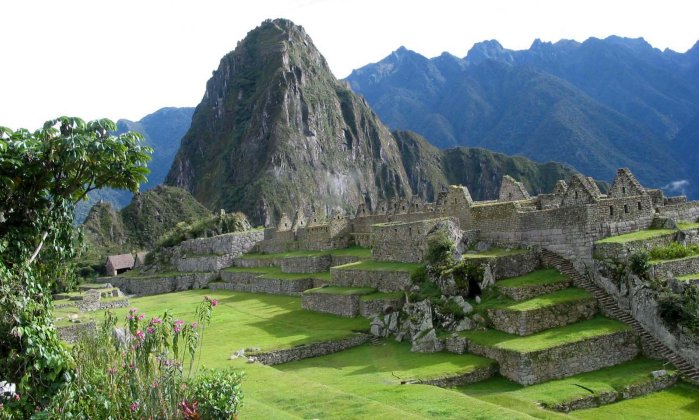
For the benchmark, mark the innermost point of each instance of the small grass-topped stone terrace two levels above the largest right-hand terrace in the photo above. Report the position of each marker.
(534, 284)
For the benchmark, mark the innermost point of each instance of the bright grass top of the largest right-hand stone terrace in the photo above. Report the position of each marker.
(549, 338)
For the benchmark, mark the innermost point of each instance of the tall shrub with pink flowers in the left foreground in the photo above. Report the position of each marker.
(141, 371)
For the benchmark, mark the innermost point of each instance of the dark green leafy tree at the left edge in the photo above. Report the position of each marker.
(43, 174)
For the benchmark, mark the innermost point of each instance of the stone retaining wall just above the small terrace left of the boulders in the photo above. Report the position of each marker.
(384, 281)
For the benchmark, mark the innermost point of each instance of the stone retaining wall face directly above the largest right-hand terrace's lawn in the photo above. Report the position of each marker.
(530, 322)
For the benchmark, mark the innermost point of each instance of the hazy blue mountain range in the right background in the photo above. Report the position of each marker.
(596, 105)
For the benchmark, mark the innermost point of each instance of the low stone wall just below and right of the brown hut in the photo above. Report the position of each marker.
(143, 286)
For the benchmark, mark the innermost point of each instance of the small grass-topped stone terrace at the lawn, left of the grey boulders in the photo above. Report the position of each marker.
(342, 301)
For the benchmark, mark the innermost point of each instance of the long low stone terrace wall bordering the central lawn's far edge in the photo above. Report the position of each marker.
(253, 283)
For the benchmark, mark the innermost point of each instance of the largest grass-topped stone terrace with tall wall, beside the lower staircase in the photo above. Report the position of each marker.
(557, 352)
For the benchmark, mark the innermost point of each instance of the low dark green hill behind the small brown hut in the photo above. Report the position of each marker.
(139, 225)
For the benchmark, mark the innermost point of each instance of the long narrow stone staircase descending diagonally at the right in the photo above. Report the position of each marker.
(611, 308)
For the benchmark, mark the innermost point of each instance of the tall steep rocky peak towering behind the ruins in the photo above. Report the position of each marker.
(276, 131)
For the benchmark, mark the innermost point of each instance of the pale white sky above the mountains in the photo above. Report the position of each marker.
(128, 58)
